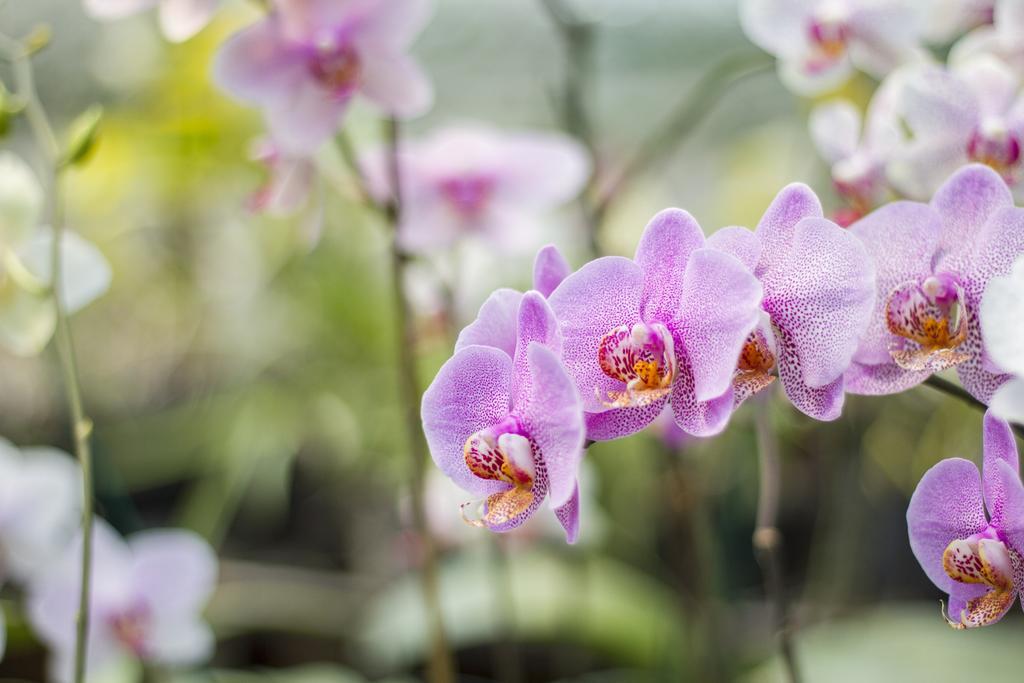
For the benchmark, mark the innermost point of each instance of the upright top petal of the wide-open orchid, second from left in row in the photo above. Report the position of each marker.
(663, 254)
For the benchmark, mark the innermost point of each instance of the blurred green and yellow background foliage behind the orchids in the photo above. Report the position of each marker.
(240, 374)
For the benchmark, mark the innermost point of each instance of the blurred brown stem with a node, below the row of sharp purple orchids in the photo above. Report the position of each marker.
(767, 539)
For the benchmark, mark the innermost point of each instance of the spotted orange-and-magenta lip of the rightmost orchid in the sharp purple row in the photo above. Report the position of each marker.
(928, 319)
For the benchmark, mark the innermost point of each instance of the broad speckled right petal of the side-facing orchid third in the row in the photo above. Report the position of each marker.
(821, 294)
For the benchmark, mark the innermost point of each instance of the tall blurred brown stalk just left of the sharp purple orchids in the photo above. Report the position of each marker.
(442, 665)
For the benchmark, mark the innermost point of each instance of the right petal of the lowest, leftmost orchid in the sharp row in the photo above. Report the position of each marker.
(553, 417)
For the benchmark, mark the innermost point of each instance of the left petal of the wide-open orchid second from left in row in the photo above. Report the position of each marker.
(591, 303)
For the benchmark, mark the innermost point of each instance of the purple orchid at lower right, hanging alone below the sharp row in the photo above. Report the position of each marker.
(974, 558)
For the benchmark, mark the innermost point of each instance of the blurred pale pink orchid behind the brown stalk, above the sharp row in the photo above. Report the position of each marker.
(473, 180)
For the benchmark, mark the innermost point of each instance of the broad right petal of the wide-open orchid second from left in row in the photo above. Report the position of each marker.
(721, 306)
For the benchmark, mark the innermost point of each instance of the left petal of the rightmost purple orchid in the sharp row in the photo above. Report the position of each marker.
(902, 239)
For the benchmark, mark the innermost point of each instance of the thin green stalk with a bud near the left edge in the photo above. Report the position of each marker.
(81, 425)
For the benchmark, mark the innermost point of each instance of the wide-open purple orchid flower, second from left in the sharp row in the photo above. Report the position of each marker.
(666, 327)
